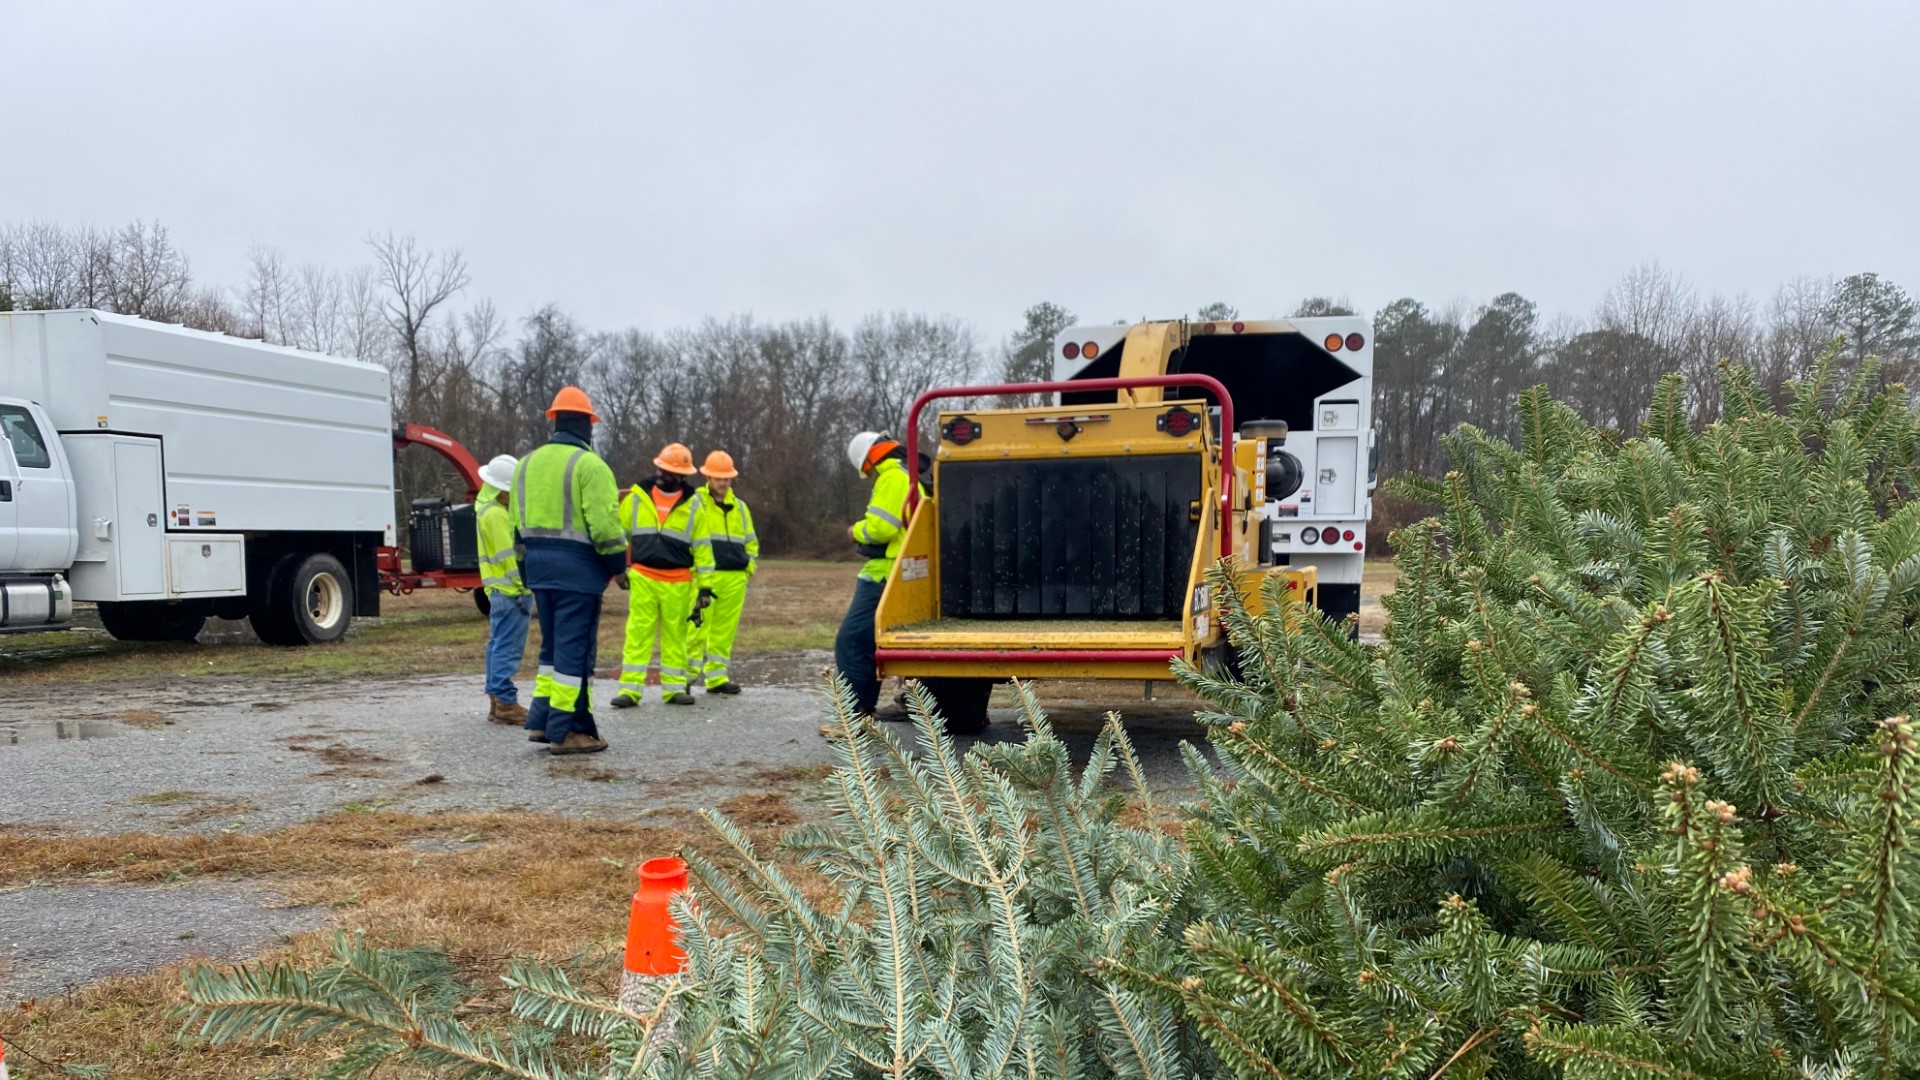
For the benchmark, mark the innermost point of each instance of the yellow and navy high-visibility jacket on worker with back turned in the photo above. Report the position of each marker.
(567, 518)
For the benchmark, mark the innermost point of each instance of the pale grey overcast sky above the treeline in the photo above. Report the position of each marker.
(652, 164)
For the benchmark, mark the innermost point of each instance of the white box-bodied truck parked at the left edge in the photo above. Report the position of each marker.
(176, 476)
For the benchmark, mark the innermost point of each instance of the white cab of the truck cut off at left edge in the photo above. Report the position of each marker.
(37, 526)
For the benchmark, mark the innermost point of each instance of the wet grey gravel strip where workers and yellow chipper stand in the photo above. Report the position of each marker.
(210, 754)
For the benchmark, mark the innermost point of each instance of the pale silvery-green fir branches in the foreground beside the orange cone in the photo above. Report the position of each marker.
(969, 904)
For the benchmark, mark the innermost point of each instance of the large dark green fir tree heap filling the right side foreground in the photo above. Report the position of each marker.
(1627, 791)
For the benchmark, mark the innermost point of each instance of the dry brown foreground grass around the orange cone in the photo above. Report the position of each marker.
(481, 887)
